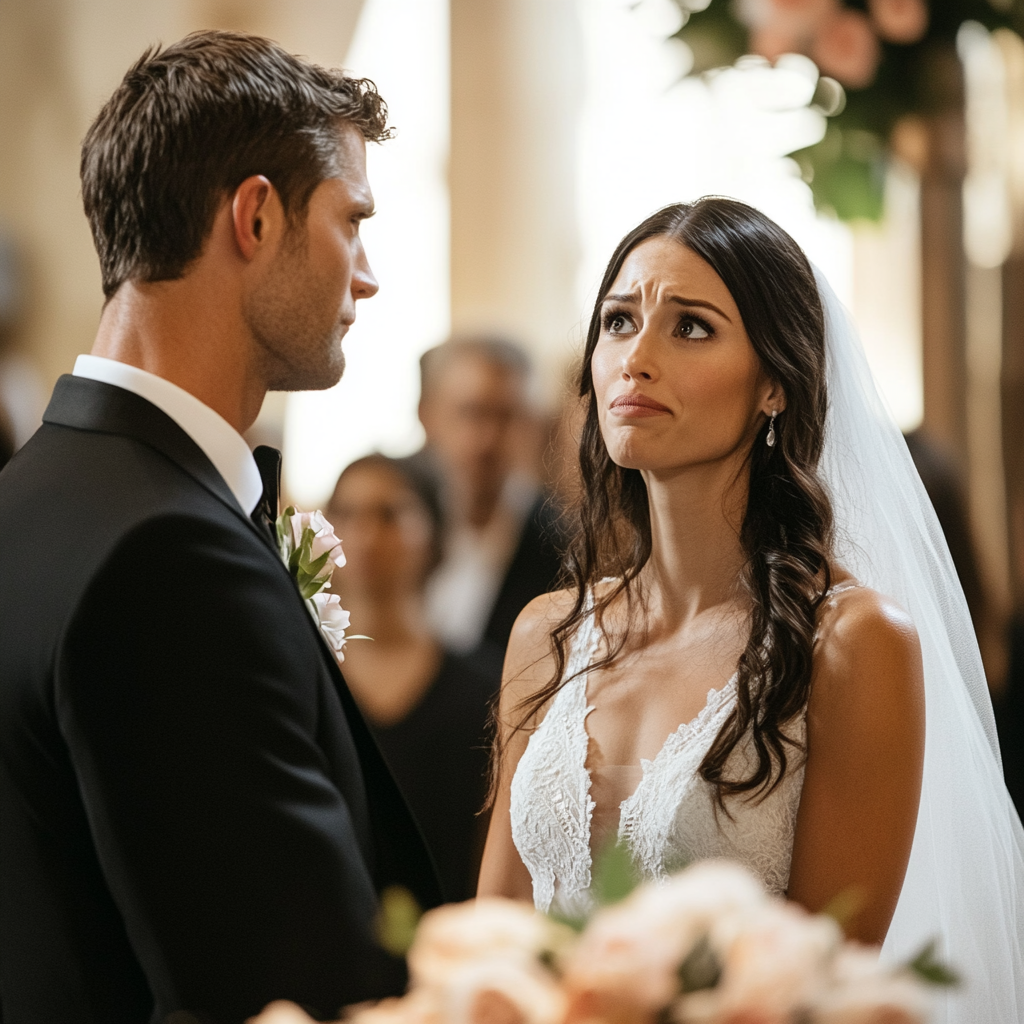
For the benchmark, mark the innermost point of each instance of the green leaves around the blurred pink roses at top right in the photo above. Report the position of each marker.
(846, 170)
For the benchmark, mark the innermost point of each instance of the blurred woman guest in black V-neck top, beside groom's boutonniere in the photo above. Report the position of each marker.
(428, 707)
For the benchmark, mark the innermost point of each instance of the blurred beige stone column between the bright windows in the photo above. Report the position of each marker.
(517, 88)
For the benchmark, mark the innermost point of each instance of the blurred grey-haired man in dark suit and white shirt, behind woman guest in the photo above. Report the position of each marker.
(501, 548)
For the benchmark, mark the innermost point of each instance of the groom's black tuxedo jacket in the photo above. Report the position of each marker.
(193, 814)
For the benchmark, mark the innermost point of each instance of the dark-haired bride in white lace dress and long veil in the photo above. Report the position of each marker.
(764, 653)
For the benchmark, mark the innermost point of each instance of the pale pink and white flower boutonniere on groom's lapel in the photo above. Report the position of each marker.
(312, 552)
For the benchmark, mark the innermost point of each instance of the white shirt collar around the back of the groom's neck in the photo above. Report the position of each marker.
(221, 443)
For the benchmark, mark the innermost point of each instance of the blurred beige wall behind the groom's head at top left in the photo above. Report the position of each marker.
(59, 61)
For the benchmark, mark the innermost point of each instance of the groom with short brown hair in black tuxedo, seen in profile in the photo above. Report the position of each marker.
(194, 819)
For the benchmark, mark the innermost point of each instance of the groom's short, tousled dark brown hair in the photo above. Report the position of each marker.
(189, 124)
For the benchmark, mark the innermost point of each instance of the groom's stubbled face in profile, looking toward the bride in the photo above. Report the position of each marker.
(305, 303)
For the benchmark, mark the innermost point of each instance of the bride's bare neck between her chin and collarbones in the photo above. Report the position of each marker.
(697, 556)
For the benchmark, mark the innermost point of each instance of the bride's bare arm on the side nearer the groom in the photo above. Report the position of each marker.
(529, 665)
